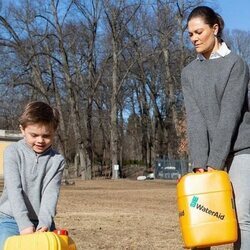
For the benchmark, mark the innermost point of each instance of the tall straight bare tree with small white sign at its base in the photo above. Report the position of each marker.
(118, 17)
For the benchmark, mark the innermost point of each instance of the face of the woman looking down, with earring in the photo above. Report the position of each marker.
(203, 36)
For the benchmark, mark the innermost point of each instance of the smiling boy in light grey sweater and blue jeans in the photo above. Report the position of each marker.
(32, 175)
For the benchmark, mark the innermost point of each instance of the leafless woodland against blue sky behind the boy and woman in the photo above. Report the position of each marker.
(112, 67)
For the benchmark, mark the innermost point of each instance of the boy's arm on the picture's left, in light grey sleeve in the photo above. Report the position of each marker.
(12, 181)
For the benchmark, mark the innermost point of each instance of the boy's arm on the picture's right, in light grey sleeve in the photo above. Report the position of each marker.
(50, 194)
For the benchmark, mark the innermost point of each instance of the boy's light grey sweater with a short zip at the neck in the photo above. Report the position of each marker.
(31, 184)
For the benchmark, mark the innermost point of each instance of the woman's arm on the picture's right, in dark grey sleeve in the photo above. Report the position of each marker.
(230, 114)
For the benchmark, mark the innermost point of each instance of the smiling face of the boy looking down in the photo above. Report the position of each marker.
(38, 136)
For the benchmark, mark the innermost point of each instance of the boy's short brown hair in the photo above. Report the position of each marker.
(39, 112)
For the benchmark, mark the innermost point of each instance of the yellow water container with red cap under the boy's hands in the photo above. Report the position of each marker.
(57, 240)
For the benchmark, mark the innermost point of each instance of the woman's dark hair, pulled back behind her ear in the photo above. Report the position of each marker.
(209, 16)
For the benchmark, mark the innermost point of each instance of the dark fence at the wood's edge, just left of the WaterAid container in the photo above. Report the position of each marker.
(170, 169)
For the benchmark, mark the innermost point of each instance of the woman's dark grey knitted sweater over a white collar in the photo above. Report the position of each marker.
(215, 95)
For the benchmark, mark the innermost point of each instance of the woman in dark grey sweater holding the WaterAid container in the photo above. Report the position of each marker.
(215, 93)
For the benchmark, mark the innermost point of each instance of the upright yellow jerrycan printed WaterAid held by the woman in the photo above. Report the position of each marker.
(206, 209)
